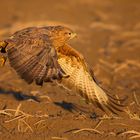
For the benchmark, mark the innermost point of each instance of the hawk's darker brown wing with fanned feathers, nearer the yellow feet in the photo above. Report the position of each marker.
(33, 57)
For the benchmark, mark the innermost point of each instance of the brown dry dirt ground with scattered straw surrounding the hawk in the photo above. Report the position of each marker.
(109, 38)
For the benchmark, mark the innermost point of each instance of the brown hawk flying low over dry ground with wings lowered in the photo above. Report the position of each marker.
(42, 54)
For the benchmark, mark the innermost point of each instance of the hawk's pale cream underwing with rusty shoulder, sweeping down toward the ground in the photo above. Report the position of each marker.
(82, 81)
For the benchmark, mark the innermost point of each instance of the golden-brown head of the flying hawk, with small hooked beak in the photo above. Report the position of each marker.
(61, 35)
